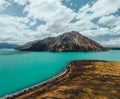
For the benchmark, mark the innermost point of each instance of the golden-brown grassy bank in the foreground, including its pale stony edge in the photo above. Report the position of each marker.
(80, 80)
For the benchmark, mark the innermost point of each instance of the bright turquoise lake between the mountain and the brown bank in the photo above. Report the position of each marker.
(19, 70)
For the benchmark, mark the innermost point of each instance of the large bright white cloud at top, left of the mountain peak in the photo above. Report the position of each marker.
(56, 15)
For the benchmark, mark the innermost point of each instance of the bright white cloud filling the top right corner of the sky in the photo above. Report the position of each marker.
(104, 7)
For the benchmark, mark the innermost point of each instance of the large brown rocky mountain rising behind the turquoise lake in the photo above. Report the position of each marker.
(67, 42)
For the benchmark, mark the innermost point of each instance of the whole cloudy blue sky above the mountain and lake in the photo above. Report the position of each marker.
(22, 21)
